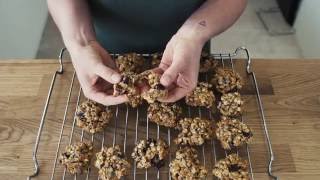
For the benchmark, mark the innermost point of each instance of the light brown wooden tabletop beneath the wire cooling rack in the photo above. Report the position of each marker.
(290, 93)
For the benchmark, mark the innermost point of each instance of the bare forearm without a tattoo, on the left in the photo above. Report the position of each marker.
(73, 20)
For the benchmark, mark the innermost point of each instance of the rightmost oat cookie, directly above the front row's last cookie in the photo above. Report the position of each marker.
(233, 133)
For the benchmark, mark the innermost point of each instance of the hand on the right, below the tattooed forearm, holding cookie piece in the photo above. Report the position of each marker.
(180, 64)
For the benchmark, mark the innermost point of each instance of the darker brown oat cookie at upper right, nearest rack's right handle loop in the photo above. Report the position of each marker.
(226, 80)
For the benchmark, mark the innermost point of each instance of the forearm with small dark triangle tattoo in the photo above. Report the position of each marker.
(212, 18)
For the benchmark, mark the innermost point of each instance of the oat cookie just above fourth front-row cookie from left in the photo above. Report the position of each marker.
(194, 131)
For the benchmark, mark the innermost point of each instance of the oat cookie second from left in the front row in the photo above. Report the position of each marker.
(111, 163)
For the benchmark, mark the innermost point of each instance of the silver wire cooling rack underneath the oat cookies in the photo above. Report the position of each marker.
(131, 124)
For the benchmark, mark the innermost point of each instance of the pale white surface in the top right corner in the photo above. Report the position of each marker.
(308, 28)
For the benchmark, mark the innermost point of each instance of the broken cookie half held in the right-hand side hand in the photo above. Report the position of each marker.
(156, 89)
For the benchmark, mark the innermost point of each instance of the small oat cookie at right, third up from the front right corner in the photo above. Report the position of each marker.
(231, 104)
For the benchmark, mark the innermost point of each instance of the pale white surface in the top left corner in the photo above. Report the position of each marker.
(21, 26)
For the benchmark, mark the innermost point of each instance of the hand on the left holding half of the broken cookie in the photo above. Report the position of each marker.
(96, 72)
